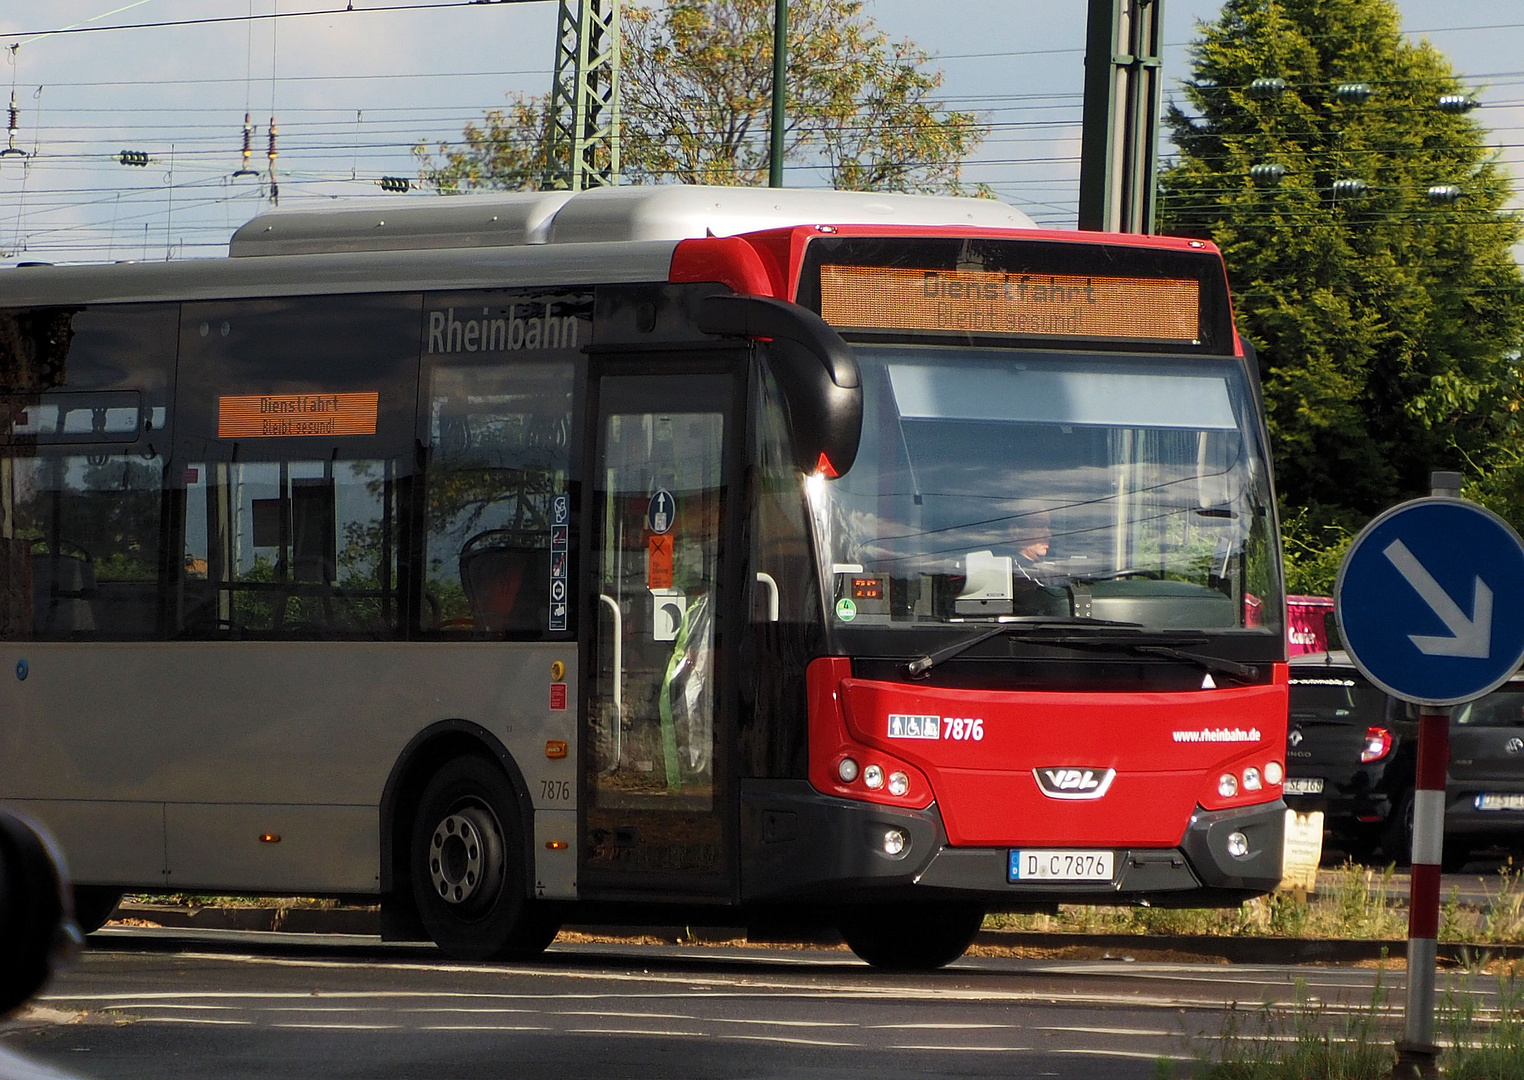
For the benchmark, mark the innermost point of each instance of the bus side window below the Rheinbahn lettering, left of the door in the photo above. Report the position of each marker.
(501, 453)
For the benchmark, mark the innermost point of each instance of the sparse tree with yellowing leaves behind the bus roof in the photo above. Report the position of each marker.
(696, 101)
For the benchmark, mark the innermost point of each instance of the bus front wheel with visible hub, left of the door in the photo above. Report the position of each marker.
(467, 863)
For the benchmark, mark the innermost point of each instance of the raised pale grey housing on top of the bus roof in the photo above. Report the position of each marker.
(662, 212)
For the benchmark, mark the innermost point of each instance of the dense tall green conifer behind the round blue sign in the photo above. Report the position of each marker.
(1388, 325)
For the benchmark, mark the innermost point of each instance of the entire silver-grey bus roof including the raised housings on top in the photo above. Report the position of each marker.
(482, 241)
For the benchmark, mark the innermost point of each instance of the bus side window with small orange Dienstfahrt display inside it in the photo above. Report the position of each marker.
(295, 453)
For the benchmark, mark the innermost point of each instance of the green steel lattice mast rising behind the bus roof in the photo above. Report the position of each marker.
(583, 147)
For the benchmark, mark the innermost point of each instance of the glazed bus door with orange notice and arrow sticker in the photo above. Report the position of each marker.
(658, 794)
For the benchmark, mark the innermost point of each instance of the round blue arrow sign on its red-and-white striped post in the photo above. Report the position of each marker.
(1403, 599)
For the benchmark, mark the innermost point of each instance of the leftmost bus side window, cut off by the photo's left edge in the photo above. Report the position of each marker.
(83, 443)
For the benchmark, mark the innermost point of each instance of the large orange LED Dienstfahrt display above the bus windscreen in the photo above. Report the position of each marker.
(982, 302)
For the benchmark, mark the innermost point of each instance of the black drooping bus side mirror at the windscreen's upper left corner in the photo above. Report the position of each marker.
(815, 369)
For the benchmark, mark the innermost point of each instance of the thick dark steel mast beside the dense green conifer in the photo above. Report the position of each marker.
(1119, 138)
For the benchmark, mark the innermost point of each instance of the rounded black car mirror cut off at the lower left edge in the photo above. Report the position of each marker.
(37, 919)
